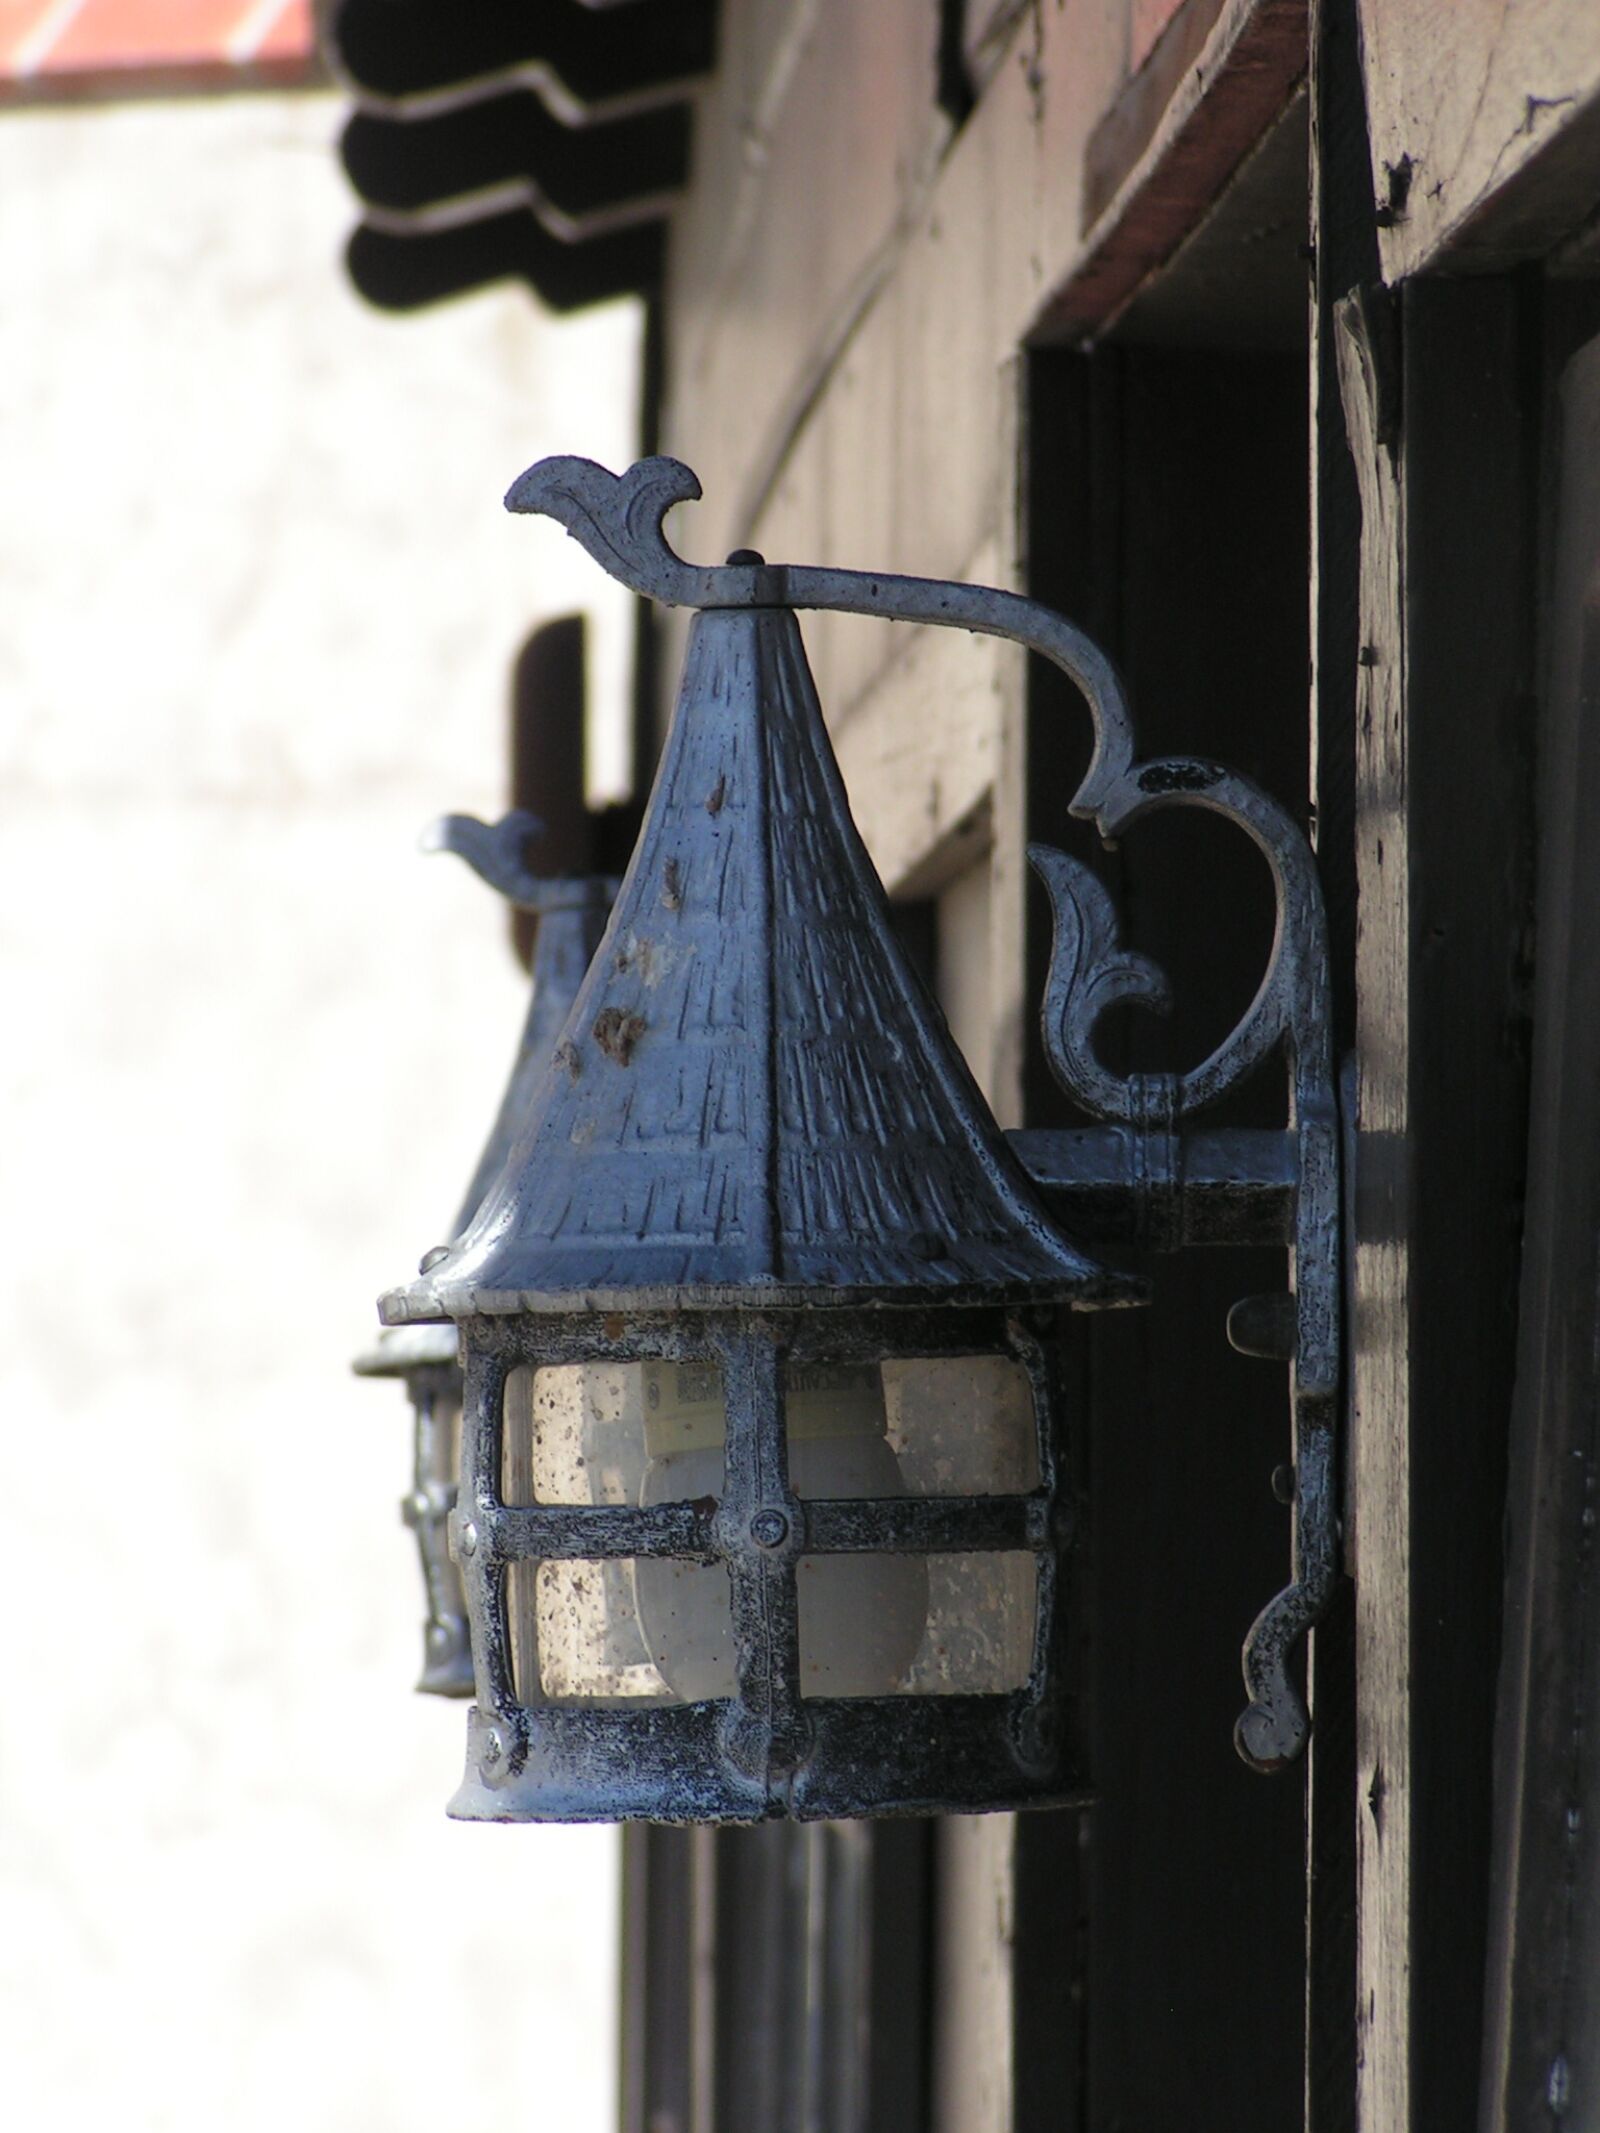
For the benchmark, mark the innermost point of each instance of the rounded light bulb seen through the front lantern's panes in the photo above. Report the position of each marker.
(861, 1616)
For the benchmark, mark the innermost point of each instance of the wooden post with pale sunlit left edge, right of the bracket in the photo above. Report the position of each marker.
(1445, 440)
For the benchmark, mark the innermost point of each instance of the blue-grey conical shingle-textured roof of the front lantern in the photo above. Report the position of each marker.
(754, 1100)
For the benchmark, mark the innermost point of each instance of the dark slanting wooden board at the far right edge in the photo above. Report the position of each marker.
(1543, 2021)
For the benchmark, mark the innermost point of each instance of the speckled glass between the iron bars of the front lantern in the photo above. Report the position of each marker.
(871, 1624)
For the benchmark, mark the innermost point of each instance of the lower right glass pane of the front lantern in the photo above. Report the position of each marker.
(916, 1624)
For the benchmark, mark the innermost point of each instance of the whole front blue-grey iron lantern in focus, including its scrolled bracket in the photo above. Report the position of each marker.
(765, 1501)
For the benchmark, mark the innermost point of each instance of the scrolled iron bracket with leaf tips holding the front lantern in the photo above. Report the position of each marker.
(1149, 1174)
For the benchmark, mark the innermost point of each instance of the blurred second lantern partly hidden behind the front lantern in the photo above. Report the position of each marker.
(426, 1358)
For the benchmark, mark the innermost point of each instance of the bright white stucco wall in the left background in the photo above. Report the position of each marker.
(257, 611)
